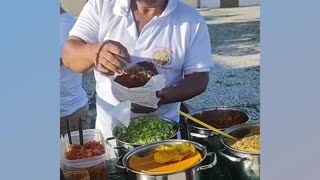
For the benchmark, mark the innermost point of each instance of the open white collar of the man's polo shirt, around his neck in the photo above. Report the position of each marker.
(122, 7)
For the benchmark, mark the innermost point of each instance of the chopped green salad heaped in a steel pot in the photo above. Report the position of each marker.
(146, 130)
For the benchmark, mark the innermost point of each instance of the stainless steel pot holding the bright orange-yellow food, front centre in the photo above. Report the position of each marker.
(192, 173)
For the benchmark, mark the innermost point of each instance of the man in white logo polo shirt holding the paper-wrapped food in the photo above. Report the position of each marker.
(168, 33)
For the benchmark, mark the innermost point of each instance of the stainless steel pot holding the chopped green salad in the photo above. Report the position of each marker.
(124, 147)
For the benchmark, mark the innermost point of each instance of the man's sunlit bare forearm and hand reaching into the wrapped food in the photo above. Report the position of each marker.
(81, 57)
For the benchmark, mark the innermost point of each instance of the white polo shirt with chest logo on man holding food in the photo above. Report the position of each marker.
(177, 41)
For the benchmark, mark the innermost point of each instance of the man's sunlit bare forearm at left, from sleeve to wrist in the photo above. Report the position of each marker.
(79, 56)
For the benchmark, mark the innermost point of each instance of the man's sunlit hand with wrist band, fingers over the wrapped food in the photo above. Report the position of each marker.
(111, 58)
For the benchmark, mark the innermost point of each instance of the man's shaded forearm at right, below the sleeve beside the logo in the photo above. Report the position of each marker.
(191, 86)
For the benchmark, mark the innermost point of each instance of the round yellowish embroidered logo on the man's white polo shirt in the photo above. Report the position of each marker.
(162, 57)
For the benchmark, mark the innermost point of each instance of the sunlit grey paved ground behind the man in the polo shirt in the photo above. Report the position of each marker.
(235, 79)
